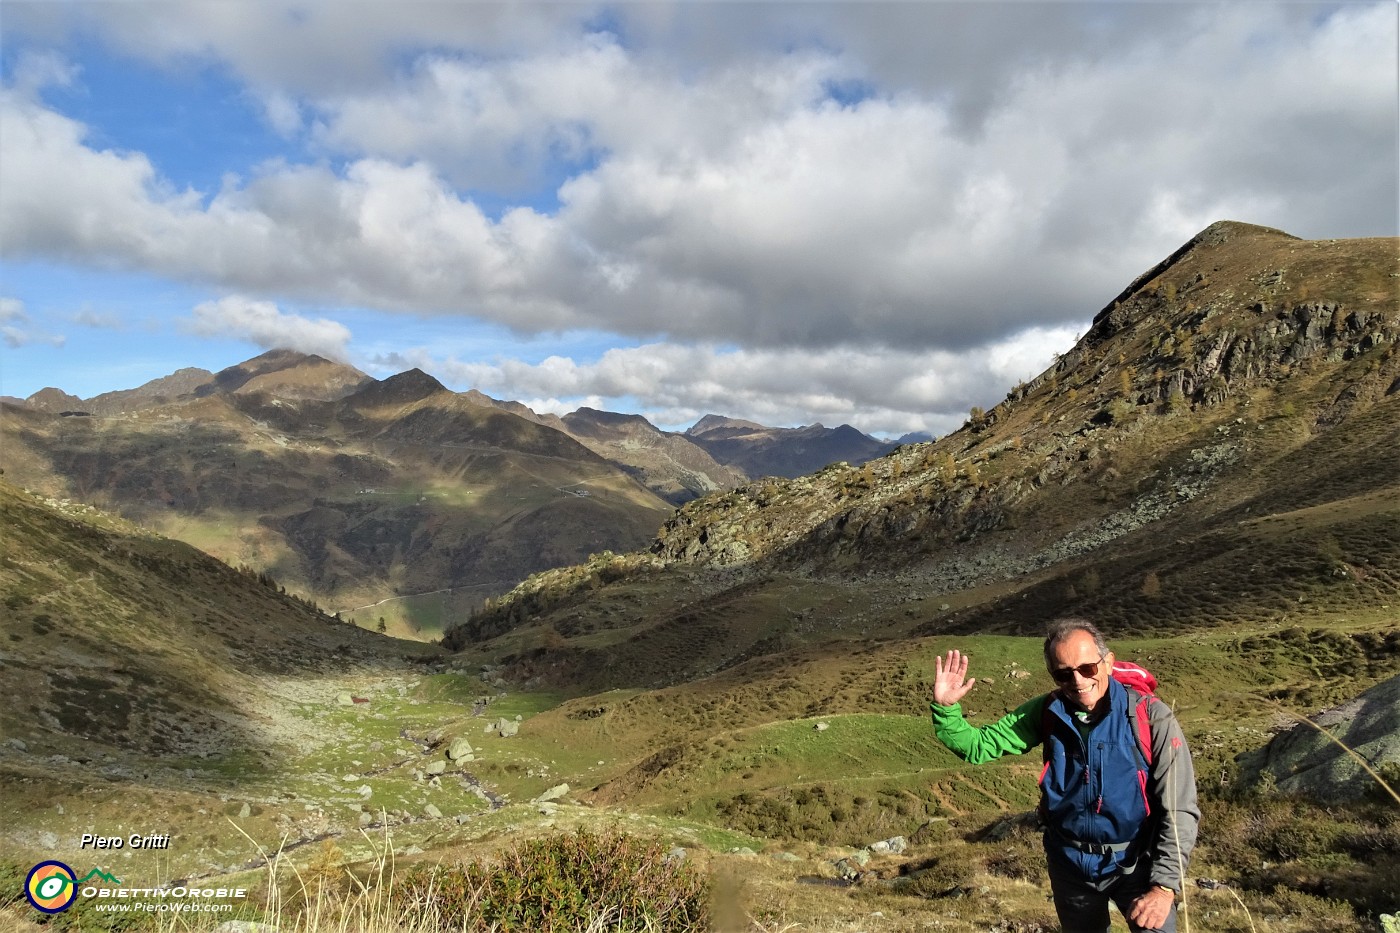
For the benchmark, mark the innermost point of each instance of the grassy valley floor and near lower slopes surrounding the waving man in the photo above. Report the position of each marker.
(166, 693)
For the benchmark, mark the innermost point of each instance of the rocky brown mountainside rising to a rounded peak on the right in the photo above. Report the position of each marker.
(1220, 448)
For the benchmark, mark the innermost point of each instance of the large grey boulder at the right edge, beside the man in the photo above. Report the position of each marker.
(1304, 761)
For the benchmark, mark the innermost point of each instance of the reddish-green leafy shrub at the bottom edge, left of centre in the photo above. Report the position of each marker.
(565, 883)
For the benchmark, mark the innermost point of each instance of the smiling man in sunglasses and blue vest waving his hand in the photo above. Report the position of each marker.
(1118, 791)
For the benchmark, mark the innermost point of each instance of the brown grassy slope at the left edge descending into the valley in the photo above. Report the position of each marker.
(122, 644)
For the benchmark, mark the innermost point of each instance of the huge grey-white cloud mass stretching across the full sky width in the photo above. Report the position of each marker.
(737, 205)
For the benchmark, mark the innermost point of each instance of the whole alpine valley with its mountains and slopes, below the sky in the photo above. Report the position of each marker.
(1212, 474)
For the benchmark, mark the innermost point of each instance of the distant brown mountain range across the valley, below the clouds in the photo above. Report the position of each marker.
(394, 498)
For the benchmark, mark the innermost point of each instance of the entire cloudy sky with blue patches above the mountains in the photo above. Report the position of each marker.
(863, 212)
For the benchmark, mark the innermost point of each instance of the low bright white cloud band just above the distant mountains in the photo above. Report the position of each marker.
(885, 392)
